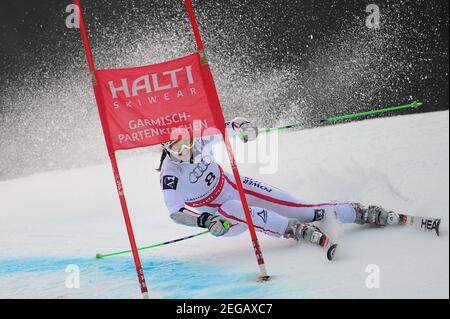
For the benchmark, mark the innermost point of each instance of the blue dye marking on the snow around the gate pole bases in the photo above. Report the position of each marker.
(169, 278)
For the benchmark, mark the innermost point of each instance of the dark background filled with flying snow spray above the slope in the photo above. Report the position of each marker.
(275, 62)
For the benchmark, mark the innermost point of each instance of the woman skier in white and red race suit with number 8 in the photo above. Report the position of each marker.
(199, 193)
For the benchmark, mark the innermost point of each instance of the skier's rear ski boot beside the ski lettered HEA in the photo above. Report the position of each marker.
(376, 215)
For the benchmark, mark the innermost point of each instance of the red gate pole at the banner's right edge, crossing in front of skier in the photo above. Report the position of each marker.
(251, 226)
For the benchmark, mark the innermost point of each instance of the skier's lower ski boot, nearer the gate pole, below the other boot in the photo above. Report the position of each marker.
(310, 233)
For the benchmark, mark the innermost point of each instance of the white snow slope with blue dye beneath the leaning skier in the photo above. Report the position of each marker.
(52, 220)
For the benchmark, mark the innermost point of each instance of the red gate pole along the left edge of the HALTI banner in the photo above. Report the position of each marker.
(112, 155)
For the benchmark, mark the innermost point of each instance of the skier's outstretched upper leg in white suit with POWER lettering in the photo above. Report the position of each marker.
(263, 195)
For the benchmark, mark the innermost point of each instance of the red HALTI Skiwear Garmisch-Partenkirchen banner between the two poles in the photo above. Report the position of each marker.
(154, 104)
